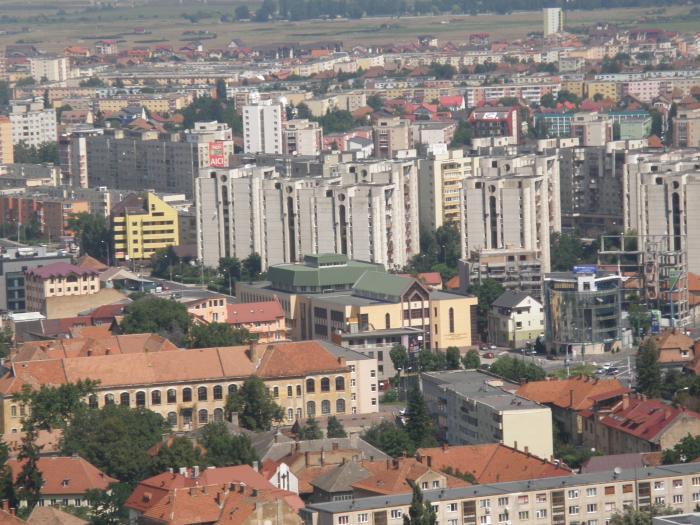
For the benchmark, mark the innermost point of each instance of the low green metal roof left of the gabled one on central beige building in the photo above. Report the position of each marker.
(288, 276)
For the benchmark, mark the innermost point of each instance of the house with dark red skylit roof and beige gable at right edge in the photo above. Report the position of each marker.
(637, 424)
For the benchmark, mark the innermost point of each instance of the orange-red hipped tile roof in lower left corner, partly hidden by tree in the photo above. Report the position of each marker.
(66, 475)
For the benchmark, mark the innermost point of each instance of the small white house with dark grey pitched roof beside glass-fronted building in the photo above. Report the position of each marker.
(515, 320)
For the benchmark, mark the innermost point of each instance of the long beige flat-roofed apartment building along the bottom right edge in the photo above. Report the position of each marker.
(582, 499)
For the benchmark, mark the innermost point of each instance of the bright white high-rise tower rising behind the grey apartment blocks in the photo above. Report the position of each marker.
(262, 127)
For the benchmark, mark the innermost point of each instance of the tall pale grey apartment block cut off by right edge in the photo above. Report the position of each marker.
(660, 190)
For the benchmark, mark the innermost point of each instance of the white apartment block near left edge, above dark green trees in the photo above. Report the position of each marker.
(31, 123)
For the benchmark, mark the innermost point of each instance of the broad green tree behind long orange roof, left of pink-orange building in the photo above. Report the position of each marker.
(166, 317)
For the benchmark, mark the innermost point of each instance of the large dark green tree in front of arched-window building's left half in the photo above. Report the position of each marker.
(116, 439)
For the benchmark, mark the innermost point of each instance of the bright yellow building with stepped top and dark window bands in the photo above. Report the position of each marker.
(141, 226)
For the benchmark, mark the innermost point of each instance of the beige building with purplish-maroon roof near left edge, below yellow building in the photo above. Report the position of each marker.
(58, 280)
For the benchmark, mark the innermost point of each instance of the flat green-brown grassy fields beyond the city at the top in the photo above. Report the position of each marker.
(55, 25)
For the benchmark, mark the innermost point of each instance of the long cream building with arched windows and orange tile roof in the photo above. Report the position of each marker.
(189, 387)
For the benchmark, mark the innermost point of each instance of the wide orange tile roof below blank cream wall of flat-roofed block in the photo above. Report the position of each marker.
(490, 463)
